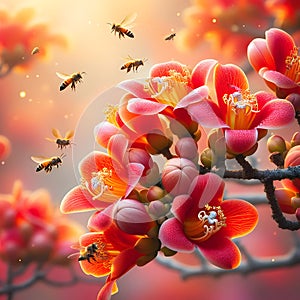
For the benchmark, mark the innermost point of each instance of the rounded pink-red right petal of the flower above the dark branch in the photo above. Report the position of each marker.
(275, 114)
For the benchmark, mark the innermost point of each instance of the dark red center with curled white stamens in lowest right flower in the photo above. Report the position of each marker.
(209, 220)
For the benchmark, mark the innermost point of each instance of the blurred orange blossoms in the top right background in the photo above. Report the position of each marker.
(230, 25)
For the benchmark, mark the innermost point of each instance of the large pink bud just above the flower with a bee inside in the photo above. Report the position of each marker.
(132, 217)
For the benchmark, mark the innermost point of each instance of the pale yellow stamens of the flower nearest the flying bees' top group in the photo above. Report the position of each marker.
(169, 89)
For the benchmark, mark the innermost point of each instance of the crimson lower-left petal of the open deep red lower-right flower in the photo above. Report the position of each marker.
(172, 236)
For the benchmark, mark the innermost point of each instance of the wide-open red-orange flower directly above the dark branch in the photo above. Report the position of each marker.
(241, 114)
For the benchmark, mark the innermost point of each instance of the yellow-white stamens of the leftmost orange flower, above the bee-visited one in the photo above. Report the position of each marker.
(99, 183)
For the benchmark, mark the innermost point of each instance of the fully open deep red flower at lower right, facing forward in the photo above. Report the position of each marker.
(202, 219)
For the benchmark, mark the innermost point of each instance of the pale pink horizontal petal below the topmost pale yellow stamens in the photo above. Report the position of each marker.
(145, 107)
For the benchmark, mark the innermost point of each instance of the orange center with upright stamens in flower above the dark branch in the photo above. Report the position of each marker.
(241, 109)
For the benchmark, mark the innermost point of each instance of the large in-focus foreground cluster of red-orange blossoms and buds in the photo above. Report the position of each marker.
(142, 208)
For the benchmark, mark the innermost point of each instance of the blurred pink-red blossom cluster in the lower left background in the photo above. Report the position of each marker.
(32, 231)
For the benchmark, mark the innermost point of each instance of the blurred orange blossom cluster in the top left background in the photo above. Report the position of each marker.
(18, 38)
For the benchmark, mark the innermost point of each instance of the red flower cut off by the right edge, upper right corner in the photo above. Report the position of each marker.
(278, 66)
